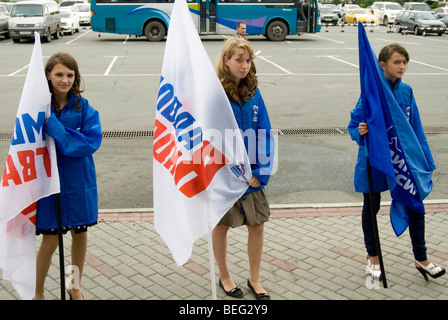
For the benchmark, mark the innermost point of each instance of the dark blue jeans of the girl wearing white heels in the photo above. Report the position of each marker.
(416, 228)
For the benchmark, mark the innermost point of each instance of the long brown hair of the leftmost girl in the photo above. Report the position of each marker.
(67, 60)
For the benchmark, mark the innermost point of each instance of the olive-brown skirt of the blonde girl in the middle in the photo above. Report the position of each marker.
(251, 209)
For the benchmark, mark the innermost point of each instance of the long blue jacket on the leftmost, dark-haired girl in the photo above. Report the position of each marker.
(77, 135)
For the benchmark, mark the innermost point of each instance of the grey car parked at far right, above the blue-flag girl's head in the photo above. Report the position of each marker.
(419, 22)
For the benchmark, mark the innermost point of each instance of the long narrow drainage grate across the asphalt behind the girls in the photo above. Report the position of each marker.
(280, 132)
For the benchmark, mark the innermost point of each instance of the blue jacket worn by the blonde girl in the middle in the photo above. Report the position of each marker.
(252, 117)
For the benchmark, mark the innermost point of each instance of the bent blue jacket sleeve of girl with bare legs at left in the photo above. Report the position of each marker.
(76, 143)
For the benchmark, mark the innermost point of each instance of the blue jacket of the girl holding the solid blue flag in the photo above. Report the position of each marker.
(405, 98)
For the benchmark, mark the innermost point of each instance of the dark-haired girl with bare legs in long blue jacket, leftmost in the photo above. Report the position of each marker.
(75, 127)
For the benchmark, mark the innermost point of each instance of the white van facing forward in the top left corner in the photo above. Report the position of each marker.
(38, 15)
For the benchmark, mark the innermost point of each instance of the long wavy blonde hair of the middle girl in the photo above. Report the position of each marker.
(247, 86)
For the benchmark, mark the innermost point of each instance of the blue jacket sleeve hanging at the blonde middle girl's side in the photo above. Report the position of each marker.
(262, 169)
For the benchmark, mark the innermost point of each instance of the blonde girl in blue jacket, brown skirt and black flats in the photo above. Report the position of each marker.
(237, 73)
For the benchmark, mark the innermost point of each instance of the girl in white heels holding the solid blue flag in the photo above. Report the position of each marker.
(393, 60)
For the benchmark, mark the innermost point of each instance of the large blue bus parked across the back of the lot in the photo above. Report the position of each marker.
(274, 19)
